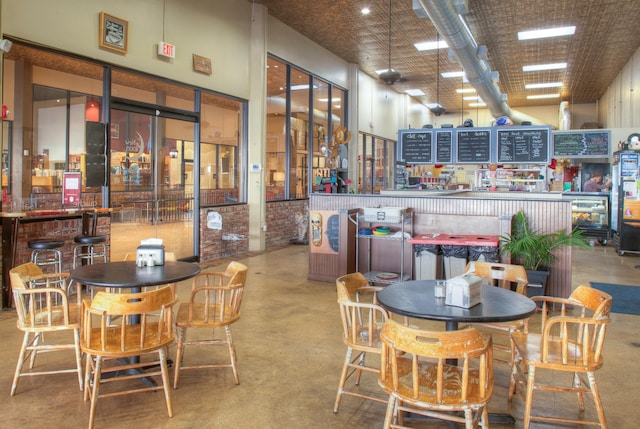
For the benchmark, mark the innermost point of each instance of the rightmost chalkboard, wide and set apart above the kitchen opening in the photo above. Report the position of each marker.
(581, 144)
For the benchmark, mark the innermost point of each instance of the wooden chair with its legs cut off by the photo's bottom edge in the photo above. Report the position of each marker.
(436, 374)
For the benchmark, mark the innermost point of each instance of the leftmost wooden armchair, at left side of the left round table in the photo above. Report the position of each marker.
(49, 307)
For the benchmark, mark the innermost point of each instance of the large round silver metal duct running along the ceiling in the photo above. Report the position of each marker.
(454, 31)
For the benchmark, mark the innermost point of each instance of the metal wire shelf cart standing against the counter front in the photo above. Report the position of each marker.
(382, 245)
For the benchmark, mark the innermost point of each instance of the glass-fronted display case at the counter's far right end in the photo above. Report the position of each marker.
(590, 214)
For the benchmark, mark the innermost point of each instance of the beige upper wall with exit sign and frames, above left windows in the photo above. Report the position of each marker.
(193, 26)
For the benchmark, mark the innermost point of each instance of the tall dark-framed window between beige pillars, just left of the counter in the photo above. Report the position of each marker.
(300, 154)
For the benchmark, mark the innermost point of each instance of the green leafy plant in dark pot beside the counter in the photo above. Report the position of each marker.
(534, 249)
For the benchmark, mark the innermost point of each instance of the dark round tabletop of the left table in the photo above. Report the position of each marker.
(126, 274)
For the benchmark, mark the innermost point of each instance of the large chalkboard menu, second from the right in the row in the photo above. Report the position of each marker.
(526, 145)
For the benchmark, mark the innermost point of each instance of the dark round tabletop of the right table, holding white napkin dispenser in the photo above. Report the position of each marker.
(416, 299)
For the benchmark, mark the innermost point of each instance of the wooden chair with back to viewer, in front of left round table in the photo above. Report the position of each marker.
(118, 331)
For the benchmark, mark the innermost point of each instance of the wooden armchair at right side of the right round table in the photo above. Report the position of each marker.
(571, 340)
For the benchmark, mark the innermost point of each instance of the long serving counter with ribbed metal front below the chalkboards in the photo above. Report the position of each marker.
(460, 212)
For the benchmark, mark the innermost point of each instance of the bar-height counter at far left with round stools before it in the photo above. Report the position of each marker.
(20, 227)
